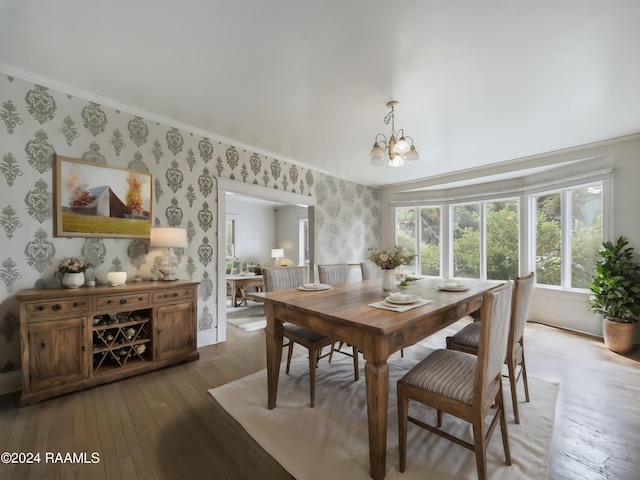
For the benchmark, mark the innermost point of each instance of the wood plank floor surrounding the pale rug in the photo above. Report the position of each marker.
(164, 424)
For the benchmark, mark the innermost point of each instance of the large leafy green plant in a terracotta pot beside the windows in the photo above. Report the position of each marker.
(615, 289)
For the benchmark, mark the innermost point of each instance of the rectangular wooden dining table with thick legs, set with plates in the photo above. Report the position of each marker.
(343, 312)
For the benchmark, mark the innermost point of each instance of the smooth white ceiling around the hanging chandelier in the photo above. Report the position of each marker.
(307, 81)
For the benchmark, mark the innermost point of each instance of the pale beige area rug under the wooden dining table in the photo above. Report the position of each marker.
(331, 439)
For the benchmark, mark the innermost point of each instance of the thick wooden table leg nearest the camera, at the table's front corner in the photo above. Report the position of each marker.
(377, 378)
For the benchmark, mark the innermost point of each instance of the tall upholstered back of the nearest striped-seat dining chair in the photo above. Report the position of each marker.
(492, 347)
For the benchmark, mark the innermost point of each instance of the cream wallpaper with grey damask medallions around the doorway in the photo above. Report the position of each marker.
(39, 122)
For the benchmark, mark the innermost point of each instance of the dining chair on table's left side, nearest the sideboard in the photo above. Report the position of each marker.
(283, 278)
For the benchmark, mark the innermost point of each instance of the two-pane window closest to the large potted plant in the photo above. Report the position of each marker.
(568, 233)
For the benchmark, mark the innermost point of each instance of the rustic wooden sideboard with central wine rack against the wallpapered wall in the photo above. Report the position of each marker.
(77, 338)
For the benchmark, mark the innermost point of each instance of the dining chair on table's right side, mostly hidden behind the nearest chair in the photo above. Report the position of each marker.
(466, 340)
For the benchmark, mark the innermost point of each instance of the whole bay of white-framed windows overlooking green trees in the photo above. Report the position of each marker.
(565, 228)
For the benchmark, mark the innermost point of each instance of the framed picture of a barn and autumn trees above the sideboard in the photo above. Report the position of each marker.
(95, 200)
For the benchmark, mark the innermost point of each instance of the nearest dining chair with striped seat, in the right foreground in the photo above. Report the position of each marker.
(463, 385)
